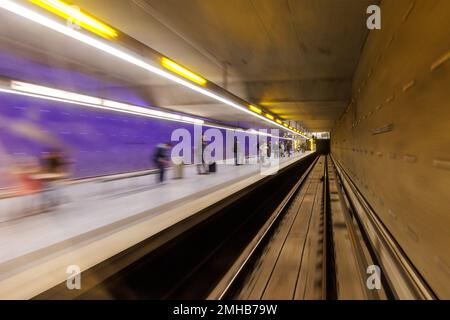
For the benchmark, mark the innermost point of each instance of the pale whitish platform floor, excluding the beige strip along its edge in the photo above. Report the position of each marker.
(116, 201)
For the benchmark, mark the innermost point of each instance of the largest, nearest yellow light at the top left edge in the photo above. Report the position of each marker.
(82, 19)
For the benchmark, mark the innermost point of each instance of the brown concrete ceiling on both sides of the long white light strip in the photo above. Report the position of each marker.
(294, 57)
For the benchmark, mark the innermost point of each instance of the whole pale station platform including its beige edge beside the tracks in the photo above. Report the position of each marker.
(116, 215)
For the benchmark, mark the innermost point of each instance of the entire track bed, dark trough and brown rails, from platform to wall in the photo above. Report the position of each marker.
(296, 235)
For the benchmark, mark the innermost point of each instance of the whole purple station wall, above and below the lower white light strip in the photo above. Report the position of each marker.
(98, 142)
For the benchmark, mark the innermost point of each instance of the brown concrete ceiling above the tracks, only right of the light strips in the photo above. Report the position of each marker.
(295, 57)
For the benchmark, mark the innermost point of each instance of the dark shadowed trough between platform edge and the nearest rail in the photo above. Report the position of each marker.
(187, 260)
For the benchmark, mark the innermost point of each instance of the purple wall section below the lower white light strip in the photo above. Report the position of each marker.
(99, 142)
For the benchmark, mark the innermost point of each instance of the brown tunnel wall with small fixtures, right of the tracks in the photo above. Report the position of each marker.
(394, 137)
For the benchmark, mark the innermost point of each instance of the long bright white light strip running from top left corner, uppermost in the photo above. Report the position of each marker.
(44, 21)
